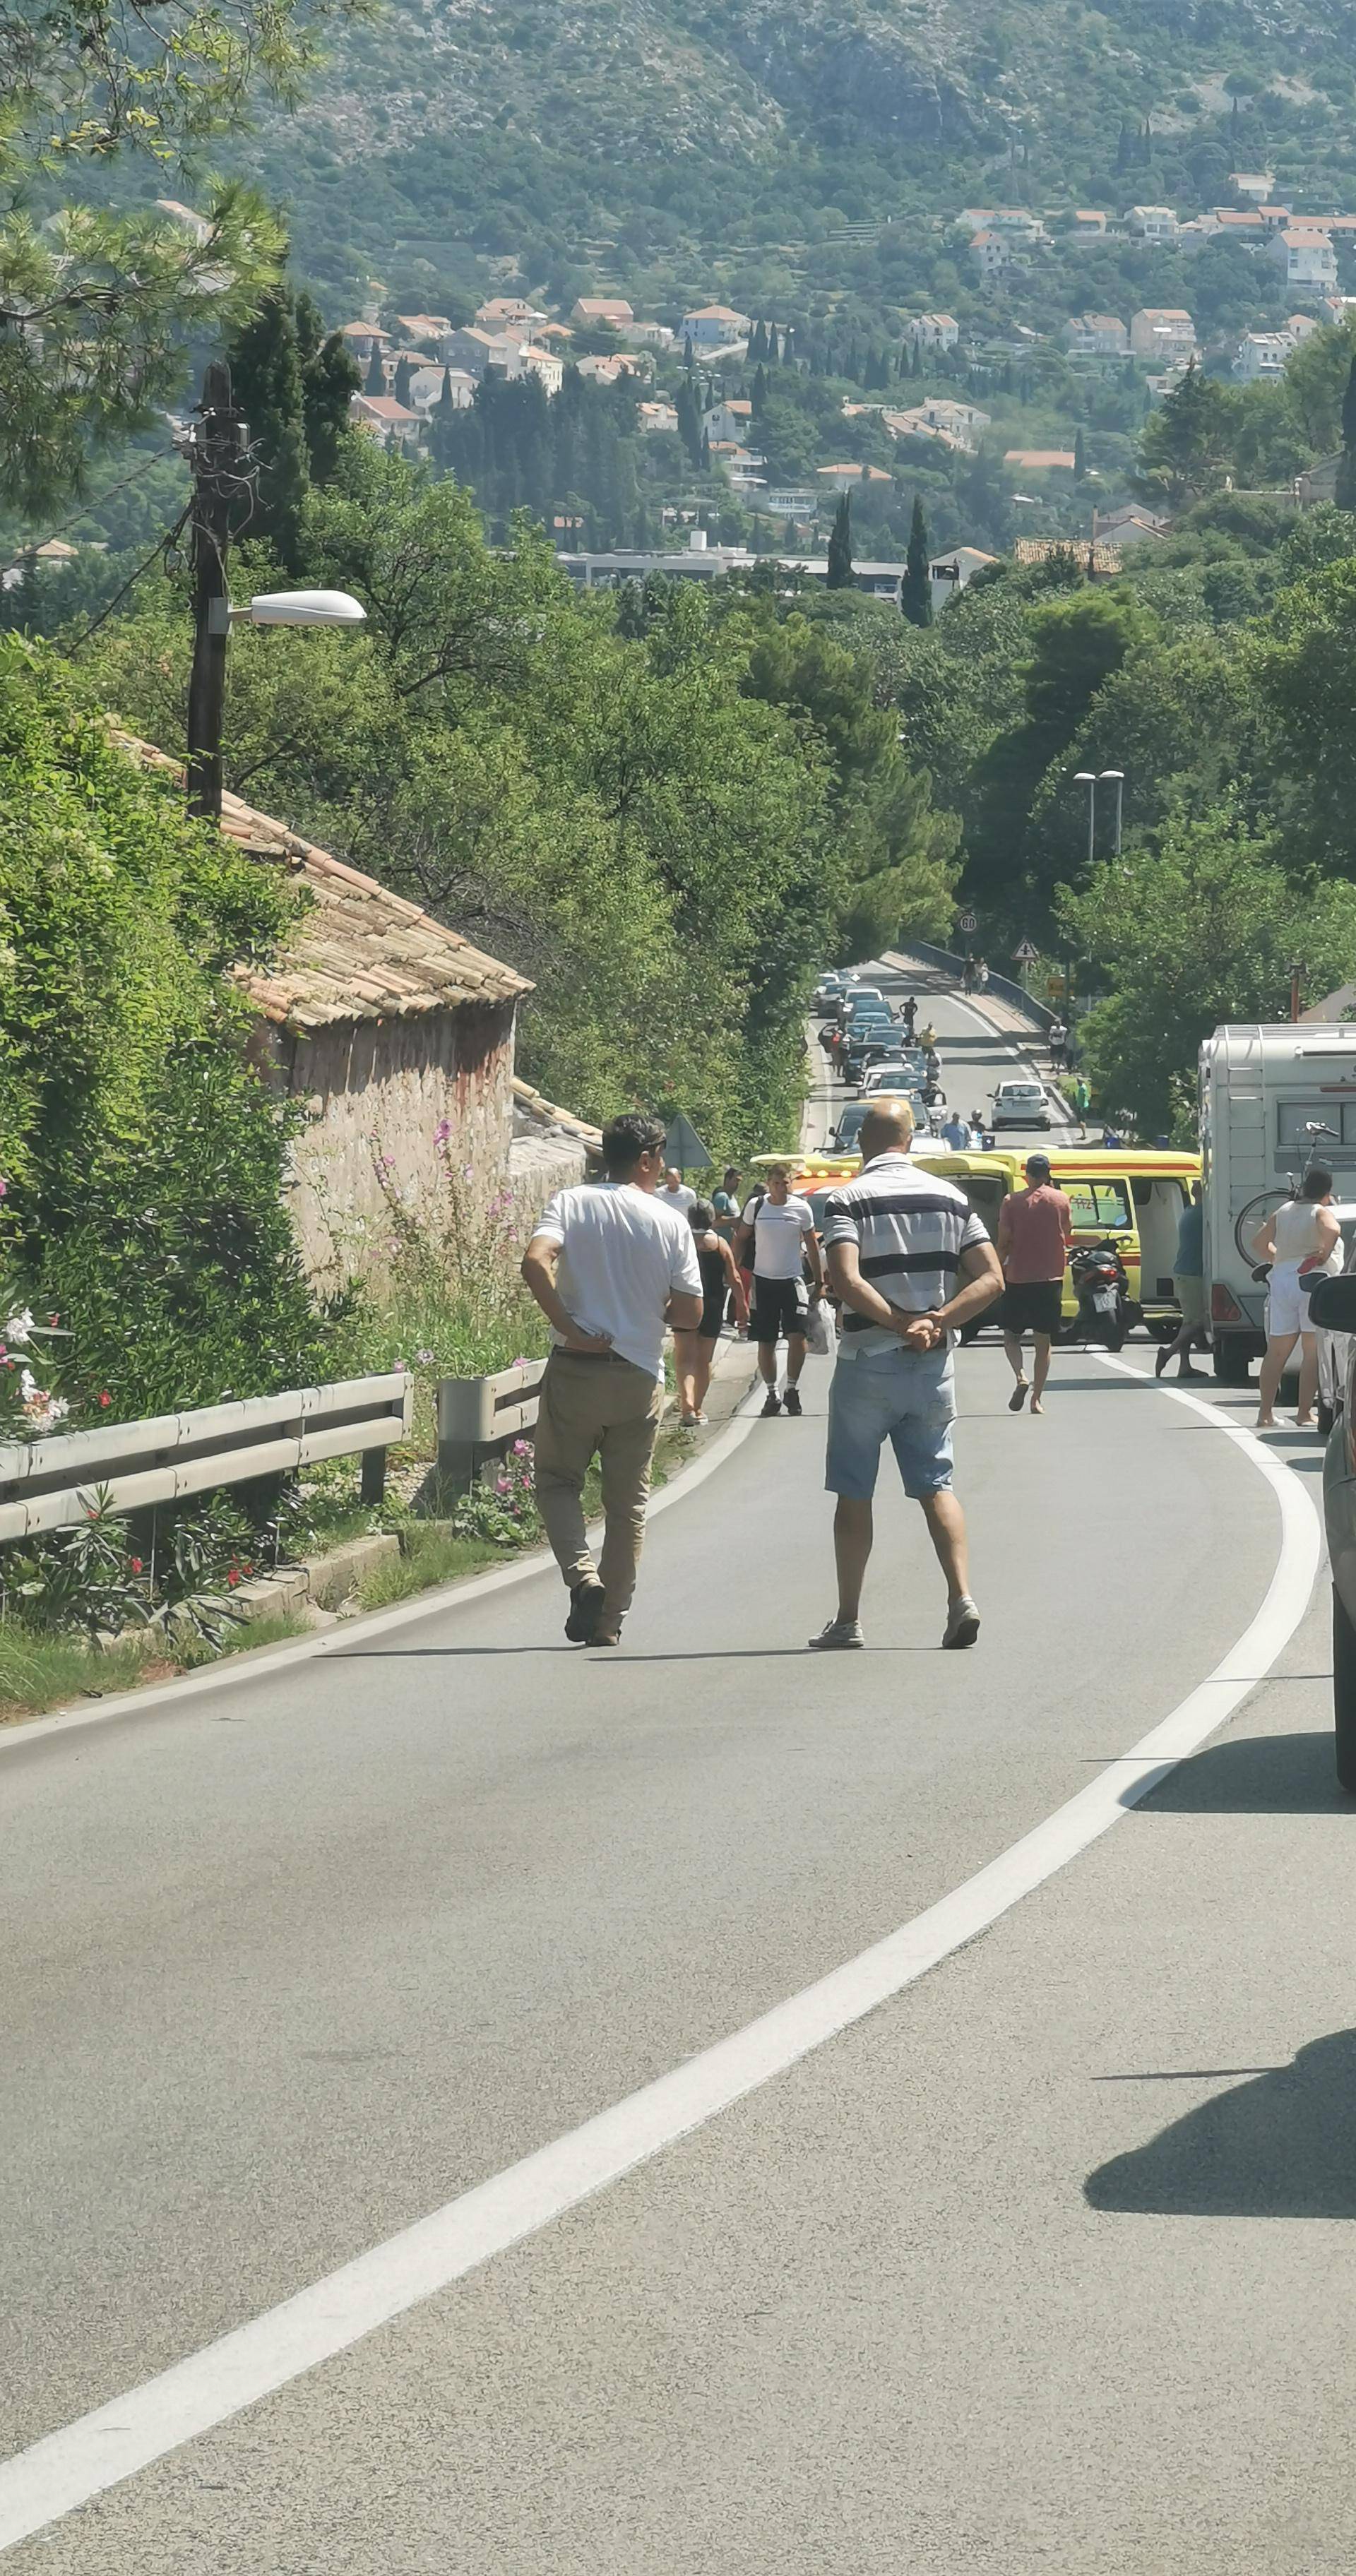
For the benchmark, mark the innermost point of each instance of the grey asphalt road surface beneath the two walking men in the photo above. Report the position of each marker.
(1043, 2266)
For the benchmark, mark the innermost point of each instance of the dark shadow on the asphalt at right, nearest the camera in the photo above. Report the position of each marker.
(1283, 2147)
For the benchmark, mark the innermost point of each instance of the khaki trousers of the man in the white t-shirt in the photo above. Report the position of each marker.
(610, 1410)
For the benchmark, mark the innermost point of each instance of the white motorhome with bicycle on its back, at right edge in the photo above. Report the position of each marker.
(1275, 1099)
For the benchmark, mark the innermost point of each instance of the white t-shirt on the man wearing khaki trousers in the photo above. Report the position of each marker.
(623, 1253)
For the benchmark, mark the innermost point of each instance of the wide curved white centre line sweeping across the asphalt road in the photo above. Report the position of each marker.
(112, 2443)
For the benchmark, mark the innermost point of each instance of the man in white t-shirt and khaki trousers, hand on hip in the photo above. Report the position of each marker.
(610, 1264)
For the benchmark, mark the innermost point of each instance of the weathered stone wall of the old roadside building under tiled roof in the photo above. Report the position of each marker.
(380, 1088)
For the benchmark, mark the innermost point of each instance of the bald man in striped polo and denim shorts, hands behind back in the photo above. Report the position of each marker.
(909, 1264)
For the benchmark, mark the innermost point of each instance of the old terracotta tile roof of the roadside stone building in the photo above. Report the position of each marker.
(357, 952)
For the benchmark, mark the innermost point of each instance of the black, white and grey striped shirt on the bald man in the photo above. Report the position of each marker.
(911, 1230)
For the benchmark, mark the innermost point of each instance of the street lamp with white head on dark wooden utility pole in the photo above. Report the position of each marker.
(223, 480)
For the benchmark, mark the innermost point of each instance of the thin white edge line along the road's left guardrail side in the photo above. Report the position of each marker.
(375, 1624)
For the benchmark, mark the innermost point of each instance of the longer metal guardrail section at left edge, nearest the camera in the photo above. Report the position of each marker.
(48, 1485)
